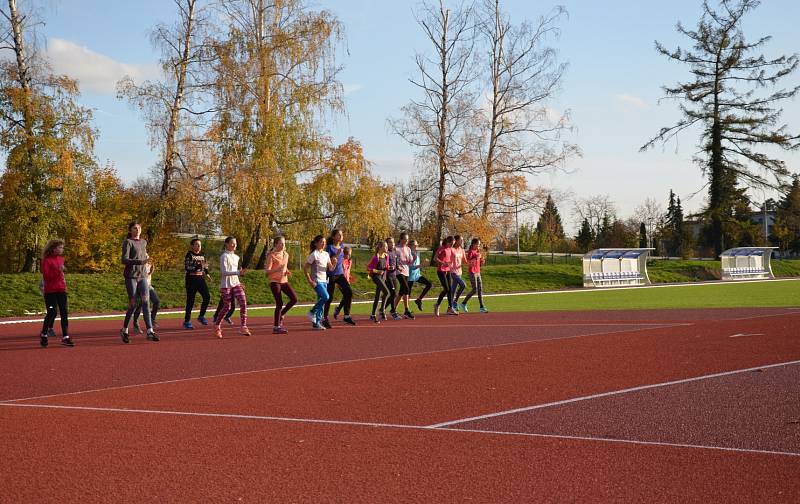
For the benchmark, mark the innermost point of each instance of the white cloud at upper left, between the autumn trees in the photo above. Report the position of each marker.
(94, 71)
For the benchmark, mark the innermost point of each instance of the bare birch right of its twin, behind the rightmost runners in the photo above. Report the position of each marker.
(519, 136)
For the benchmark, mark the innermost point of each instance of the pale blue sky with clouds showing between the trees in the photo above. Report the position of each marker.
(612, 85)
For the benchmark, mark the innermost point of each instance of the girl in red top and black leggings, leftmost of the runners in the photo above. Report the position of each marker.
(55, 292)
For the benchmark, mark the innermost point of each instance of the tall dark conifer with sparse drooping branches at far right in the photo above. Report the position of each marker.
(736, 123)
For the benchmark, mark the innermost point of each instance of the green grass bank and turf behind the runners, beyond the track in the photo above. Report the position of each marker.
(105, 292)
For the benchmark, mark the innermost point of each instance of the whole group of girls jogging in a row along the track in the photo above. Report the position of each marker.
(394, 269)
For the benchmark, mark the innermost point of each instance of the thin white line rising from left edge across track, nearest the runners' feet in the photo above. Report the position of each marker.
(331, 363)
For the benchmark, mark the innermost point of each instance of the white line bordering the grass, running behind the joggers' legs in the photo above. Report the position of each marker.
(507, 294)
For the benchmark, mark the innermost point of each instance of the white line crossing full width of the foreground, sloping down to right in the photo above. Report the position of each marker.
(397, 426)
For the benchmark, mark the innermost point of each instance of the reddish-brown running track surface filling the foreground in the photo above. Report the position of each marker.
(138, 443)
